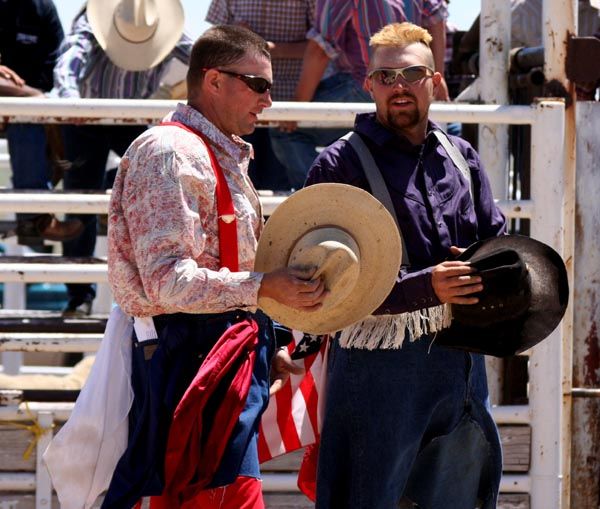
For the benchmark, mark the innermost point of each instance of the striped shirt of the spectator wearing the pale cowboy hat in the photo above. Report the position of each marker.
(84, 70)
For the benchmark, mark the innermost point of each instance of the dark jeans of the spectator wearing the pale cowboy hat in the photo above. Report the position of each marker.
(87, 148)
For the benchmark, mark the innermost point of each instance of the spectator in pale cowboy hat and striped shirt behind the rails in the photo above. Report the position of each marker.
(107, 55)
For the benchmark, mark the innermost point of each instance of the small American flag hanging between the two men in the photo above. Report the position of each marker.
(291, 420)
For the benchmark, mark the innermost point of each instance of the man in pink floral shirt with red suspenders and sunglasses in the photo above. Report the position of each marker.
(183, 228)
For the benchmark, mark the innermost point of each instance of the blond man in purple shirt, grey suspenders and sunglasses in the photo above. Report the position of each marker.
(407, 422)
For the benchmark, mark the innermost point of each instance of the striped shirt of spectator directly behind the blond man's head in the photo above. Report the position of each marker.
(343, 27)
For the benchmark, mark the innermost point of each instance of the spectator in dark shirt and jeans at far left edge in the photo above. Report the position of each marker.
(30, 35)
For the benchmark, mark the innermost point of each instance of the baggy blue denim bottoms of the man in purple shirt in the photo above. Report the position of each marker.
(412, 422)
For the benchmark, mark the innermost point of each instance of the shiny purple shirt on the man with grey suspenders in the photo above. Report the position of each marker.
(431, 200)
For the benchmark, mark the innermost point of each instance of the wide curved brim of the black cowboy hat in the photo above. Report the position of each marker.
(549, 299)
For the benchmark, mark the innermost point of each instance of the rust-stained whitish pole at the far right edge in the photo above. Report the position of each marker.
(586, 320)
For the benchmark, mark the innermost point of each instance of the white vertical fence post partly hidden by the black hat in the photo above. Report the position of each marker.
(546, 359)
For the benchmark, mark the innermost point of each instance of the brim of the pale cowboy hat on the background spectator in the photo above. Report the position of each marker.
(136, 56)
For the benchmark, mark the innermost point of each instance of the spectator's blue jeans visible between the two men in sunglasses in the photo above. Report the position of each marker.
(297, 150)
